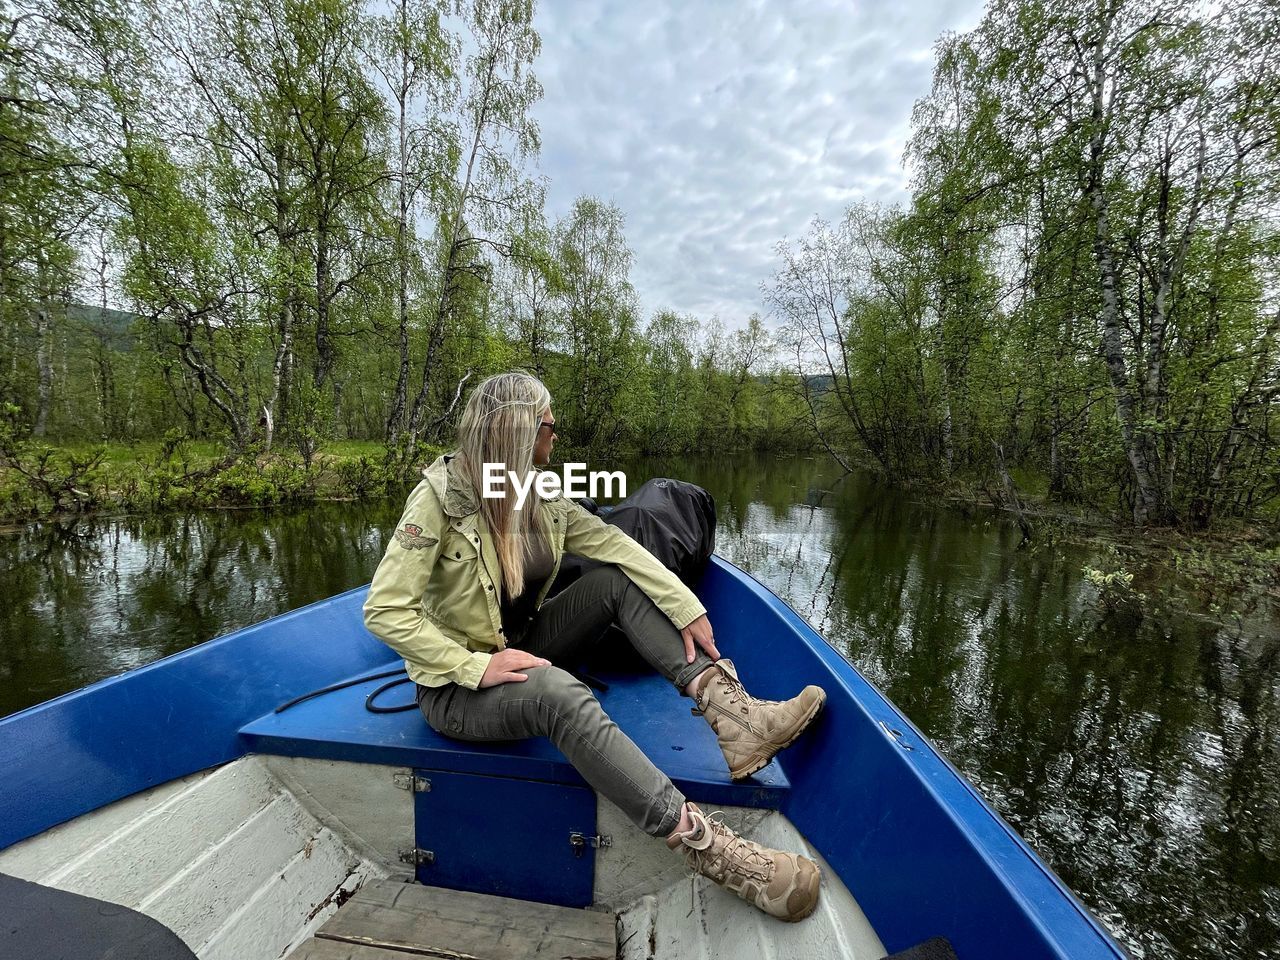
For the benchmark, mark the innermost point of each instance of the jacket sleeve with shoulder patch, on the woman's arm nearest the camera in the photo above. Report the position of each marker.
(394, 610)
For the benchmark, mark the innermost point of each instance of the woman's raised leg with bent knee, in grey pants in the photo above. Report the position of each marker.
(569, 624)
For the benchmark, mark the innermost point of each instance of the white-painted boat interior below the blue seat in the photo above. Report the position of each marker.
(281, 857)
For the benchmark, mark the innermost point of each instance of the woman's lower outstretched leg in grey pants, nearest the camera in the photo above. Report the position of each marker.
(554, 703)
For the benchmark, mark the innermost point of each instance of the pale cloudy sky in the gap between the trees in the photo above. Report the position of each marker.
(723, 127)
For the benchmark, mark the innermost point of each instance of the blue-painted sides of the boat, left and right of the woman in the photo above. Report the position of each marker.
(915, 843)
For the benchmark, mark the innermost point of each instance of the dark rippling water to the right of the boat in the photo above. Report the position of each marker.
(1137, 756)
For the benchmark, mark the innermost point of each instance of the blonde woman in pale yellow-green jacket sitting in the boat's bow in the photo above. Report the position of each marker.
(460, 592)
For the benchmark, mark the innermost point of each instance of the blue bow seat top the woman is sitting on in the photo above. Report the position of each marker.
(336, 726)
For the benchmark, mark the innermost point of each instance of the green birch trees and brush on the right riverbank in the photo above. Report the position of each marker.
(1084, 290)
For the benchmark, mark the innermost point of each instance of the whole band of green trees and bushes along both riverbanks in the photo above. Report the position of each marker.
(268, 230)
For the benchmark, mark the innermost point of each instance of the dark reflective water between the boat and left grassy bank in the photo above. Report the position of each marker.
(89, 598)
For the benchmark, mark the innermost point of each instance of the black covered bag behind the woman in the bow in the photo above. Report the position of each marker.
(671, 519)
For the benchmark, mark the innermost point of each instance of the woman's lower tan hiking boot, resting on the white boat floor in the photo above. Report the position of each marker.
(781, 885)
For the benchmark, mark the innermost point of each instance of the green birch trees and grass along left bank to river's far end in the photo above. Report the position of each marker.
(260, 202)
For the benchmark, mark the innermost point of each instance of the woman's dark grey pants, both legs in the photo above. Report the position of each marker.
(556, 705)
